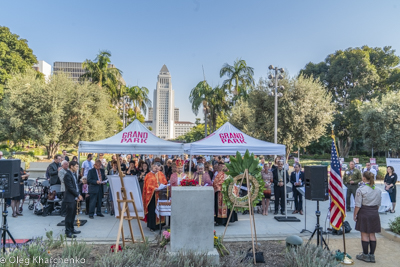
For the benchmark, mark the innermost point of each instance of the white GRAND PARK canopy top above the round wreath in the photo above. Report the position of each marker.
(228, 139)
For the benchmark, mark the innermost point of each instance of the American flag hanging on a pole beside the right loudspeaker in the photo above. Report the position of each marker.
(337, 212)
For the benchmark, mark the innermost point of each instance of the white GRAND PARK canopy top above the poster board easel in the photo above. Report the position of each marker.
(134, 139)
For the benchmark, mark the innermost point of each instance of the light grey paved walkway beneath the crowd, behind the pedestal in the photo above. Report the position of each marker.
(105, 229)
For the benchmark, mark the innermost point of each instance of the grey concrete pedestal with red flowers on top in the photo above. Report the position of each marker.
(192, 220)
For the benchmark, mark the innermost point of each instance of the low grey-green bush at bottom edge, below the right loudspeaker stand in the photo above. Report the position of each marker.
(309, 256)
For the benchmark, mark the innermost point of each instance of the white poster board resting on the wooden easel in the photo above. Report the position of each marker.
(131, 185)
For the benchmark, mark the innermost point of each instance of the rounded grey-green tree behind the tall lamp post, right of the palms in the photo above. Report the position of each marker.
(304, 112)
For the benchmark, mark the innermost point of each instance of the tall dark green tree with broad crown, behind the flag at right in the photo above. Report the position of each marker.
(354, 76)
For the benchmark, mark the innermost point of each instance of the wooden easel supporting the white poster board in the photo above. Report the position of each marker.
(125, 209)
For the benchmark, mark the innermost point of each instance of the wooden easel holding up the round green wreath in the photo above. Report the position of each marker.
(251, 213)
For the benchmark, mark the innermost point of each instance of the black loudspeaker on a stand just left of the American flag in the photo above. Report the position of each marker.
(316, 182)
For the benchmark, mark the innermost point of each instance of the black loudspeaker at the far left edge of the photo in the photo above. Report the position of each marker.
(10, 178)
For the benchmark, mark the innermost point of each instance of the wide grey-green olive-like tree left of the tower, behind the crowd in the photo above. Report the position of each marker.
(59, 112)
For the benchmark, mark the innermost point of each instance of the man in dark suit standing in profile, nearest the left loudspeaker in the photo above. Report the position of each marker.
(71, 195)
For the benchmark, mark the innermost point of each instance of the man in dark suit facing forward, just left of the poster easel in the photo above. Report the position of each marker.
(96, 179)
